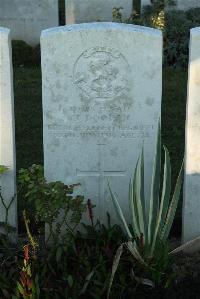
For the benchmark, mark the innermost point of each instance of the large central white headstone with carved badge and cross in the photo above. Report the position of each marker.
(102, 87)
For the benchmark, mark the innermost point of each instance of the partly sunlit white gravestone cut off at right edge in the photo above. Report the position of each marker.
(191, 208)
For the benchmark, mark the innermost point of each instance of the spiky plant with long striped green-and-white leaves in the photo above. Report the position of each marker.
(150, 226)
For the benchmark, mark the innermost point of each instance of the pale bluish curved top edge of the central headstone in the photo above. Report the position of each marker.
(102, 26)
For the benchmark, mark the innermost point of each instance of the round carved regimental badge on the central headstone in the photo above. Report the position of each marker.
(101, 73)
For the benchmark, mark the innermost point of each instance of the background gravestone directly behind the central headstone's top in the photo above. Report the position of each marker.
(78, 11)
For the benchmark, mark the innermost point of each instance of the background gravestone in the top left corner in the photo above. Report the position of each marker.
(27, 18)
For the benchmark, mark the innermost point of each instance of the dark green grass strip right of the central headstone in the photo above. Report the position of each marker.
(173, 114)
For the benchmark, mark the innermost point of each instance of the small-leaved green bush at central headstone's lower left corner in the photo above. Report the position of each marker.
(50, 200)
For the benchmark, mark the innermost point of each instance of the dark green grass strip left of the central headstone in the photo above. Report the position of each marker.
(28, 116)
